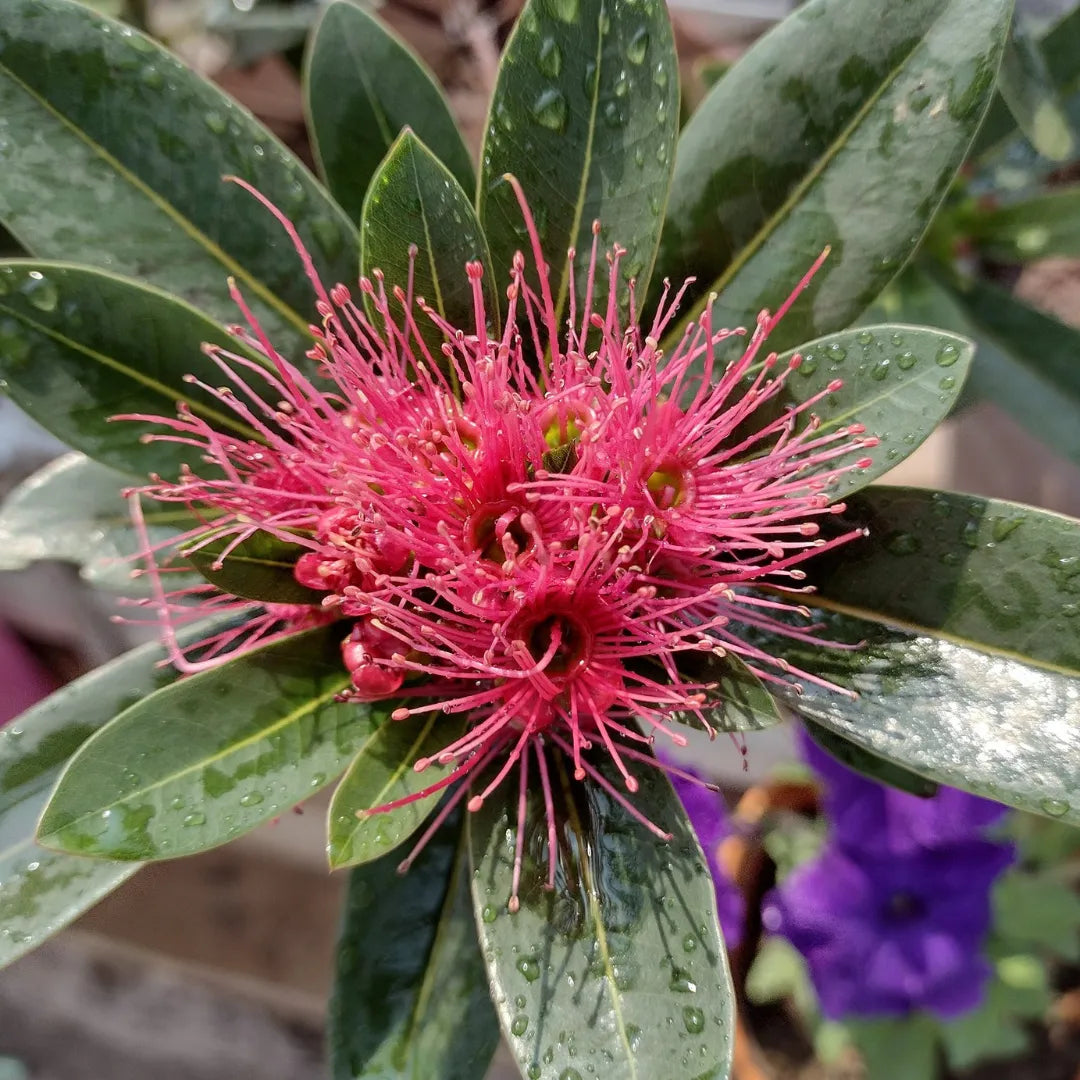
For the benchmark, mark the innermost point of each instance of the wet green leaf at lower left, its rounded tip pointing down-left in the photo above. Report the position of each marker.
(213, 757)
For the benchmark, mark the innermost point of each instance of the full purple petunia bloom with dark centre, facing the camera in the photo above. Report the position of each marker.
(886, 935)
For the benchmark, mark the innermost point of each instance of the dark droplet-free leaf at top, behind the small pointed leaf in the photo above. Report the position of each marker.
(362, 86)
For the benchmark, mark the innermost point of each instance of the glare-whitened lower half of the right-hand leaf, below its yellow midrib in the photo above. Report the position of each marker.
(956, 715)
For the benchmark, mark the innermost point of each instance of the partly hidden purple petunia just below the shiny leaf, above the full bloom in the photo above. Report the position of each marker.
(866, 816)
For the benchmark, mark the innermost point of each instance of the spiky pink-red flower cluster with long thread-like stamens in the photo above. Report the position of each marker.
(530, 529)
